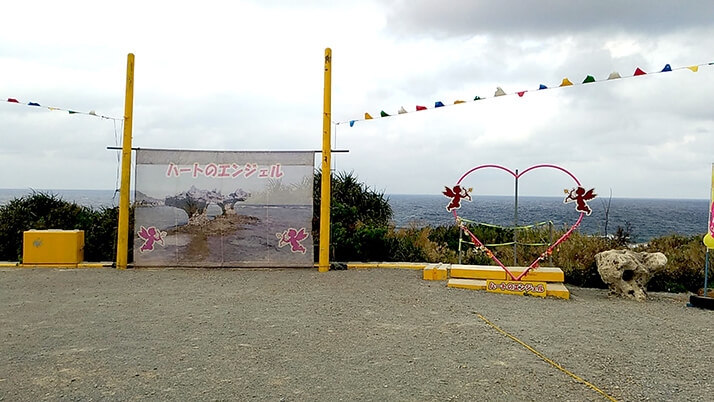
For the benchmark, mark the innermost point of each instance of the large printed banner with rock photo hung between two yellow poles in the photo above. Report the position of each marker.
(223, 209)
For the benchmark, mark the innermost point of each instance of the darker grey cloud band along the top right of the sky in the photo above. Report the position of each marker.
(543, 18)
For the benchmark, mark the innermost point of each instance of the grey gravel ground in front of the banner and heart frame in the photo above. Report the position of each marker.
(368, 334)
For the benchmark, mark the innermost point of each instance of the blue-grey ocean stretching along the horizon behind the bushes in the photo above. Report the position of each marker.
(647, 218)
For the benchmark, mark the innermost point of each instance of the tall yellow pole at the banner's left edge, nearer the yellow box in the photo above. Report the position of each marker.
(123, 228)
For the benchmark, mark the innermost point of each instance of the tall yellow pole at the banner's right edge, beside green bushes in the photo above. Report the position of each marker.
(324, 260)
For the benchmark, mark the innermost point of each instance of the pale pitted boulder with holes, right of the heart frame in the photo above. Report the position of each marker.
(627, 272)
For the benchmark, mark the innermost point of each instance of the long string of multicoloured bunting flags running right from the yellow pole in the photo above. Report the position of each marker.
(500, 92)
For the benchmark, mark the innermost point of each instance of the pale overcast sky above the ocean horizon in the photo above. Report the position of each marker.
(248, 75)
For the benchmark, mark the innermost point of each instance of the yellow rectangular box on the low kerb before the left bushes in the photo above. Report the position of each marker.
(53, 247)
